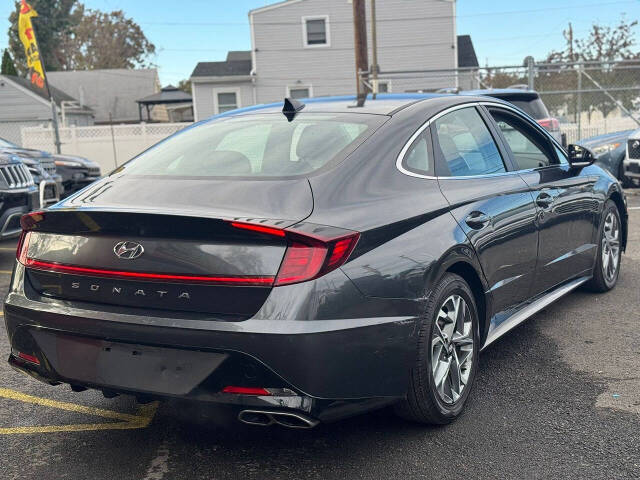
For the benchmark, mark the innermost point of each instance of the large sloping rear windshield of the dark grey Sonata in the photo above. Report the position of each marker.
(265, 145)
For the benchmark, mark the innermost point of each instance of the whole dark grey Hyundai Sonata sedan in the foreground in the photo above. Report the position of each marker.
(308, 263)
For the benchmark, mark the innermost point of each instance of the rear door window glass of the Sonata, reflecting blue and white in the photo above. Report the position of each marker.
(466, 145)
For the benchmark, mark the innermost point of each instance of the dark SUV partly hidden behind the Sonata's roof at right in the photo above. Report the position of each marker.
(529, 102)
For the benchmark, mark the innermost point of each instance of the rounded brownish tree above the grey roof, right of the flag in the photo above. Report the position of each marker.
(106, 40)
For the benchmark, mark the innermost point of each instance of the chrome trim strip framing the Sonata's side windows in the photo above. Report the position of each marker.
(427, 124)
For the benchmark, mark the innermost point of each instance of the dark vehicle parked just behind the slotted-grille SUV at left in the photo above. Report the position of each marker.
(42, 168)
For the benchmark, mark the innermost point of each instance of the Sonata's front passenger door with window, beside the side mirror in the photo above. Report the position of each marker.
(567, 209)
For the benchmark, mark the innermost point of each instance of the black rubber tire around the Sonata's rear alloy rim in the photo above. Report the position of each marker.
(423, 403)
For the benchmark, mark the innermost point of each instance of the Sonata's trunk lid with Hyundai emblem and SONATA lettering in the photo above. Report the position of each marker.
(174, 249)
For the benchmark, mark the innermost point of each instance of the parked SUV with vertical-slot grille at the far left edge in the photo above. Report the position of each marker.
(18, 195)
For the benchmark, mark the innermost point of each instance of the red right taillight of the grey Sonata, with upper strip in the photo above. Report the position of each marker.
(309, 255)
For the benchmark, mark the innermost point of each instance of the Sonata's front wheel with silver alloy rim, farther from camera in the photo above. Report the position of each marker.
(607, 267)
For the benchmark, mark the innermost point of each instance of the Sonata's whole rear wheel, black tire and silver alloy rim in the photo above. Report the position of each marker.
(447, 357)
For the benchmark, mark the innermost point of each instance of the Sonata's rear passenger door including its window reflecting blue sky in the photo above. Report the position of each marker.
(491, 204)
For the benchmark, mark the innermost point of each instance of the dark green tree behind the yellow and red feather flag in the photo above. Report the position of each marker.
(55, 21)
